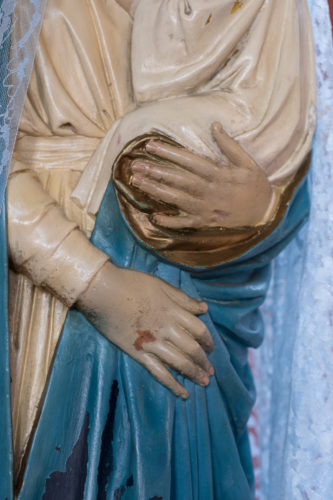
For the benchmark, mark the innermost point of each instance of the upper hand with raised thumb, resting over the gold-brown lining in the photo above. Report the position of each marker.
(232, 194)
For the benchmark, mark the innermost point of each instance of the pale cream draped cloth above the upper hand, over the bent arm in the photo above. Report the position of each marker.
(247, 64)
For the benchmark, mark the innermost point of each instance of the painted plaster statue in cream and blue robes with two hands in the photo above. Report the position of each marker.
(160, 165)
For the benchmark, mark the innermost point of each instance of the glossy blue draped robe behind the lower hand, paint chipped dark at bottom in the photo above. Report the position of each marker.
(108, 430)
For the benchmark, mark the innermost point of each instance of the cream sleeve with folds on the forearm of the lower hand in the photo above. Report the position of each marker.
(44, 244)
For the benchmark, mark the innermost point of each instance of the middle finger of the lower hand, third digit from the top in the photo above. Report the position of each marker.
(191, 348)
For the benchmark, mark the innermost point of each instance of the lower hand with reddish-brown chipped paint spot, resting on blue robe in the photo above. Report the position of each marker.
(153, 322)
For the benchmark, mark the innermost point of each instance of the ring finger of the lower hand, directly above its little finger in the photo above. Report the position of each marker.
(177, 360)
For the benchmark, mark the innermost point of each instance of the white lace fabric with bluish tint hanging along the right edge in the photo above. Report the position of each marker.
(294, 368)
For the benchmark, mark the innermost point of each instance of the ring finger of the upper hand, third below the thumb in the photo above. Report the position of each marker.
(163, 193)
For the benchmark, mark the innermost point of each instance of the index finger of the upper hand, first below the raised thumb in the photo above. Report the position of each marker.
(194, 163)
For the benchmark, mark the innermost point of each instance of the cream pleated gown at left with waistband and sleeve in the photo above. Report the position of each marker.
(68, 110)
